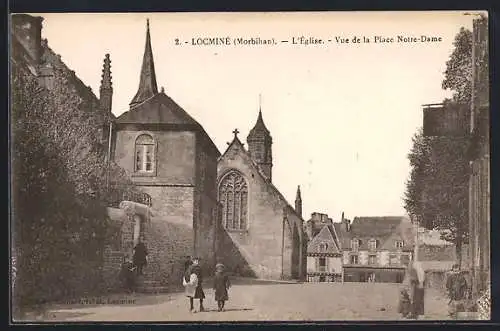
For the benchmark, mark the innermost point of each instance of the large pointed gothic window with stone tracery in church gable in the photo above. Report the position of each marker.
(233, 196)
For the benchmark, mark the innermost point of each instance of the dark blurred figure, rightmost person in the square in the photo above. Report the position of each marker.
(456, 286)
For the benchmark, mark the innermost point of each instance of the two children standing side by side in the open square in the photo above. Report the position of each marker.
(193, 284)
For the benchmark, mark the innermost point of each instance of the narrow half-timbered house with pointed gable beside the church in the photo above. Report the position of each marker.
(324, 256)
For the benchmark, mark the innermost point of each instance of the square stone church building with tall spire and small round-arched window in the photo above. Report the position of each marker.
(169, 156)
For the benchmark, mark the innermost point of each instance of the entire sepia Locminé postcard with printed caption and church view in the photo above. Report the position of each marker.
(228, 167)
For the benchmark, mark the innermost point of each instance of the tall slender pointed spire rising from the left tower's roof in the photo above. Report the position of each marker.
(147, 82)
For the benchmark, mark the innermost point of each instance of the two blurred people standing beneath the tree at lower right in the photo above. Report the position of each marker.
(411, 302)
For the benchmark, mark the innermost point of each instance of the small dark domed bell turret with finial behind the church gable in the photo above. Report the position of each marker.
(259, 145)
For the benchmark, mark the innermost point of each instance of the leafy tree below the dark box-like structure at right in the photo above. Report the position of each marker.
(437, 191)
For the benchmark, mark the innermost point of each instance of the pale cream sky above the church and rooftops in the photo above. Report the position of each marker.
(341, 116)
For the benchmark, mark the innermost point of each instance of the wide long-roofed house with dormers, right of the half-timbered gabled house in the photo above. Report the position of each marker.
(375, 249)
